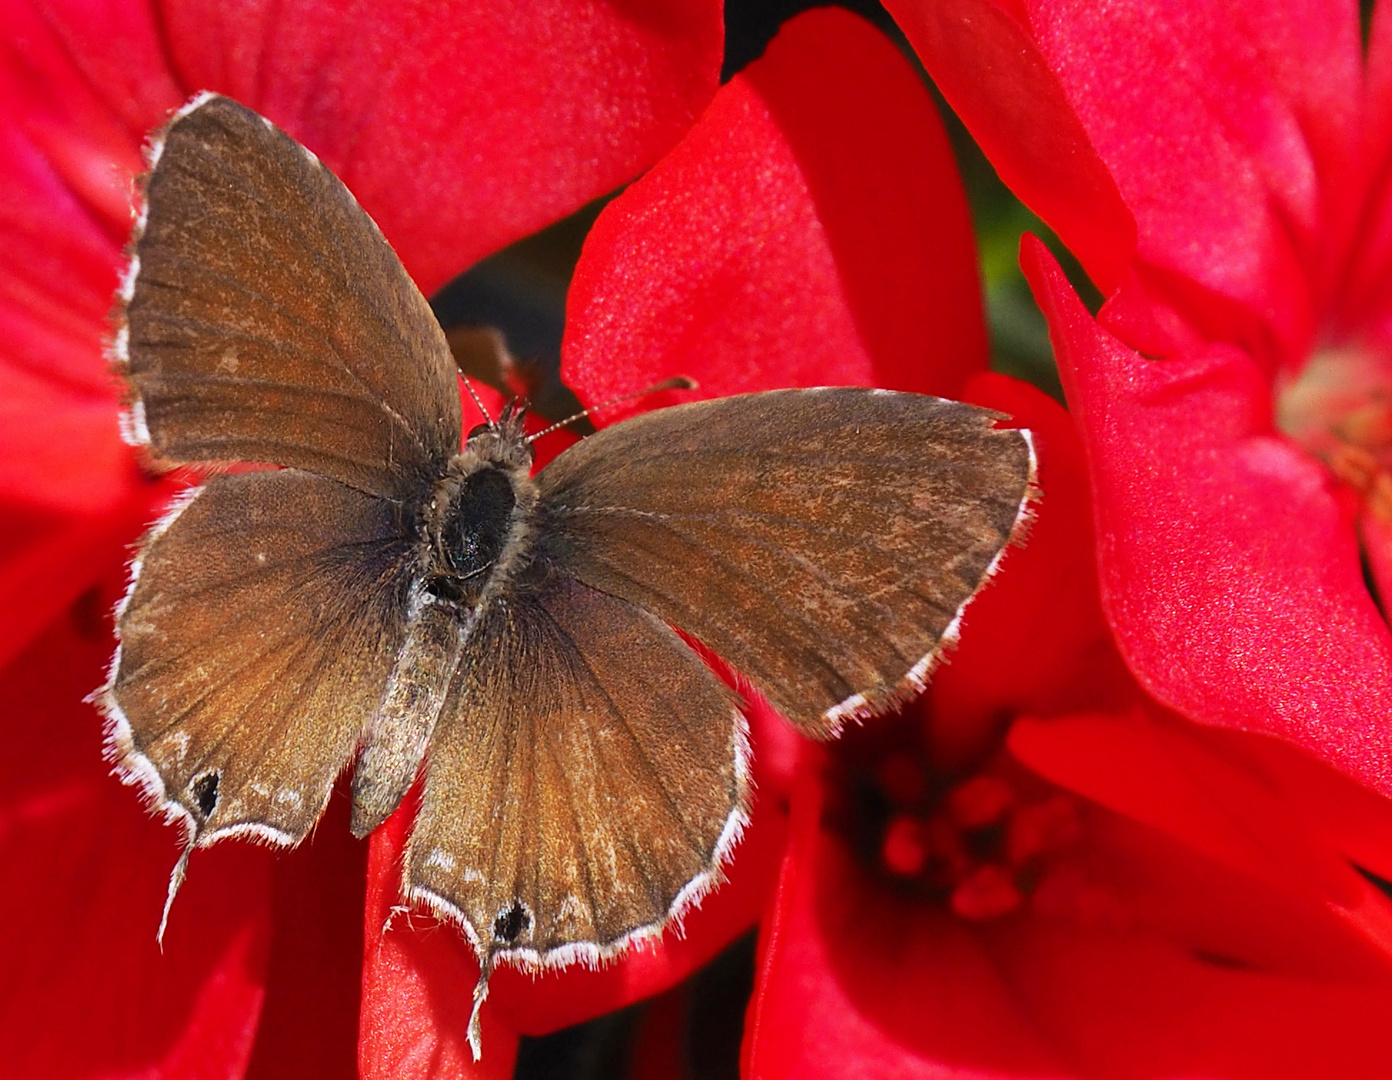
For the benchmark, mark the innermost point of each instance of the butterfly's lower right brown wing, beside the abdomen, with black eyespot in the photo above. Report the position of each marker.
(585, 780)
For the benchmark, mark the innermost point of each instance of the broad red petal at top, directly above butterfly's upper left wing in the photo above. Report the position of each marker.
(464, 129)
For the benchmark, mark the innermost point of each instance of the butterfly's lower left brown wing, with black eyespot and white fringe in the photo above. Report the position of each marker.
(264, 621)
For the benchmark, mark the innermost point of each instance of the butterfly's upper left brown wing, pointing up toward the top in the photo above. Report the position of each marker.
(264, 318)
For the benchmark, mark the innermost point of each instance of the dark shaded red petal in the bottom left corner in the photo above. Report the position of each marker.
(87, 989)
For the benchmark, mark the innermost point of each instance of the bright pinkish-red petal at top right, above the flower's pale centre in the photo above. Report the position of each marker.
(1233, 136)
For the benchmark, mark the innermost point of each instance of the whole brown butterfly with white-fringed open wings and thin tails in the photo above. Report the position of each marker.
(388, 599)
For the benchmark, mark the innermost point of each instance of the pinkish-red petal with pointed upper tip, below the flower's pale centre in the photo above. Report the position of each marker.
(1230, 573)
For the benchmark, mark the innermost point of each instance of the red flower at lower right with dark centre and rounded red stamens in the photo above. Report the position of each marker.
(1052, 876)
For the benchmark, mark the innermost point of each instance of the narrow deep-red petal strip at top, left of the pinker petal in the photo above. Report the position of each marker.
(1025, 122)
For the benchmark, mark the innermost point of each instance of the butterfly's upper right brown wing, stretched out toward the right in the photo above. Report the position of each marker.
(823, 542)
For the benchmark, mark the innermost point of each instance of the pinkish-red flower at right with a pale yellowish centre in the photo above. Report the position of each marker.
(1221, 170)
